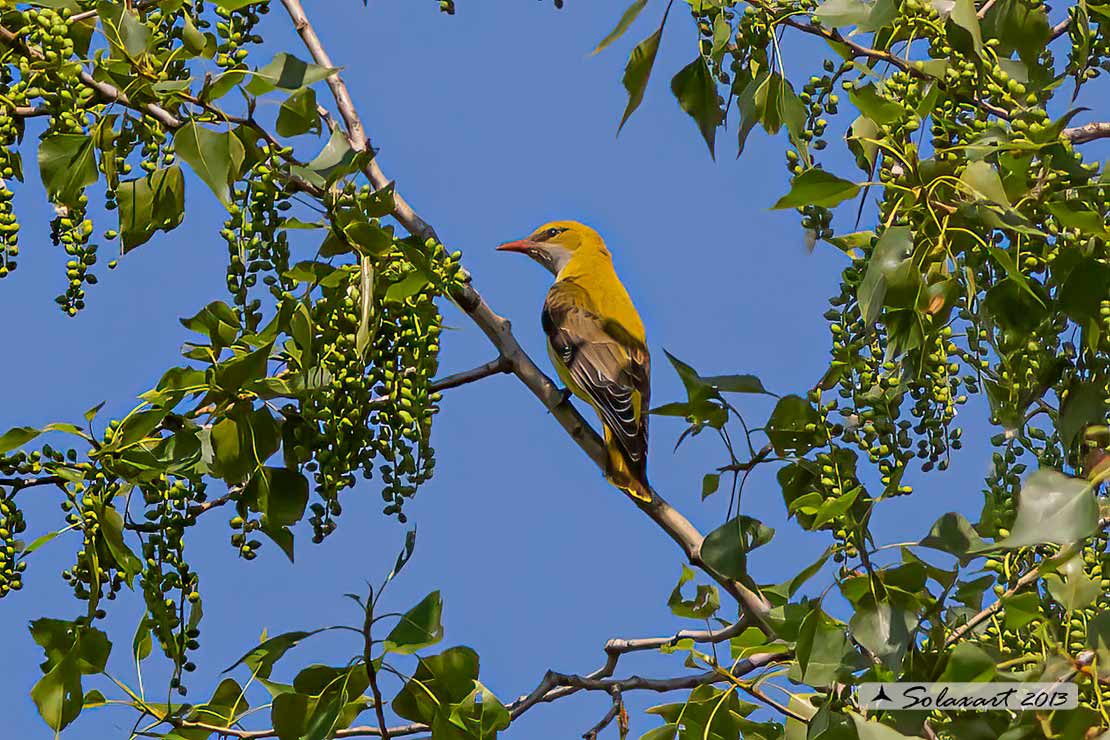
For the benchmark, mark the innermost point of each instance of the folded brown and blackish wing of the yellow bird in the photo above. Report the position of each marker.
(607, 363)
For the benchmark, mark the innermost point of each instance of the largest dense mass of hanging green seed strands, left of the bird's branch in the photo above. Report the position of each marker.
(376, 407)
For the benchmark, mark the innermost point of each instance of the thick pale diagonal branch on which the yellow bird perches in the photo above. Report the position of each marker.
(500, 333)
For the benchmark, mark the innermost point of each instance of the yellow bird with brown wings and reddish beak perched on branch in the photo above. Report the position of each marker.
(598, 343)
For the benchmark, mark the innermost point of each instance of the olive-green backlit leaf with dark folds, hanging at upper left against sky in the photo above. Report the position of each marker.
(150, 205)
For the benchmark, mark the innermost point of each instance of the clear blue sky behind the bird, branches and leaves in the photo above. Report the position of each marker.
(492, 123)
